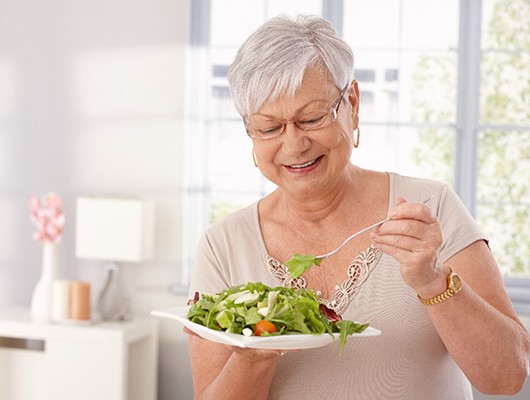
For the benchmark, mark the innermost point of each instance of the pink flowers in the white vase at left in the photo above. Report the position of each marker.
(47, 216)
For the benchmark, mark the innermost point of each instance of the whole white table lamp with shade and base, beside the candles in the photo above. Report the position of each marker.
(114, 230)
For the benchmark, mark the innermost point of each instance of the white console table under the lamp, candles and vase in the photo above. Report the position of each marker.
(104, 361)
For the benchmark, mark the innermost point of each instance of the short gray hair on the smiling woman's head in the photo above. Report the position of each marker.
(272, 61)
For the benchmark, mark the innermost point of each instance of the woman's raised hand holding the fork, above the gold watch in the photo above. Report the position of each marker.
(413, 237)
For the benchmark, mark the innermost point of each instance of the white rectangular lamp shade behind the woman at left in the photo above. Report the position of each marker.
(114, 229)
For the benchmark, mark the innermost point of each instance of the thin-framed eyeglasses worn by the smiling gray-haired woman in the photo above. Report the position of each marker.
(310, 121)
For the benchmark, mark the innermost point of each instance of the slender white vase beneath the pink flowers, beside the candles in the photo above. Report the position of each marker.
(41, 301)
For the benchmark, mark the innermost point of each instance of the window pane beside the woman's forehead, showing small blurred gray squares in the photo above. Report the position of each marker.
(407, 86)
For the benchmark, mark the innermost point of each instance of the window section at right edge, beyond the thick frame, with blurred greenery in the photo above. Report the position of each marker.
(503, 142)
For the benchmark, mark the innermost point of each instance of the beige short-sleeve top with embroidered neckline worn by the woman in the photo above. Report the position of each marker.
(408, 361)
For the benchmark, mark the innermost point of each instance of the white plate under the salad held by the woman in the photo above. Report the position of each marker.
(283, 342)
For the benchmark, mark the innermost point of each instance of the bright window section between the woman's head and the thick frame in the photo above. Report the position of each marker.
(413, 50)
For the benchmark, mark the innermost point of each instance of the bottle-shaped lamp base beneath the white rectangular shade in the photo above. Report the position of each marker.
(113, 302)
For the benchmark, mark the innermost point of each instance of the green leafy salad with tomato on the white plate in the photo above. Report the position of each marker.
(256, 309)
